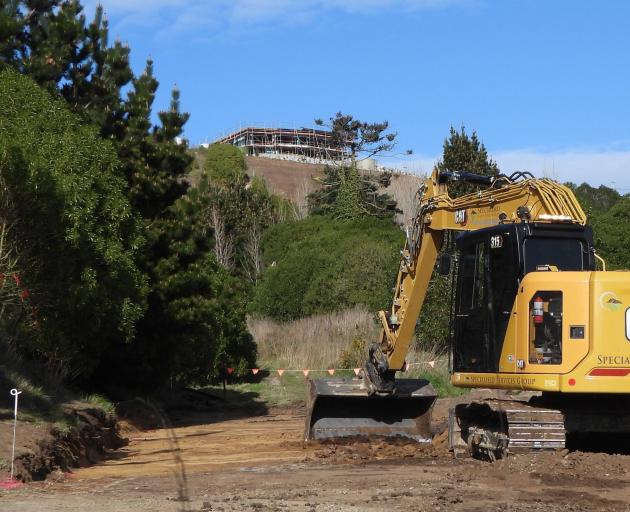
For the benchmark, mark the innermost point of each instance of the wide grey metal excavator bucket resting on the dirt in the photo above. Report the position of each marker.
(343, 408)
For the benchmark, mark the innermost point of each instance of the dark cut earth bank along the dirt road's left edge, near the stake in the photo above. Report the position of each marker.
(94, 433)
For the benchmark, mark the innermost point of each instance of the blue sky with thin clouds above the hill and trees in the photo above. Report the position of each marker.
(546, 84)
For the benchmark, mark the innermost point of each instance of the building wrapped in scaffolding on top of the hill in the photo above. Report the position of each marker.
(301, 144)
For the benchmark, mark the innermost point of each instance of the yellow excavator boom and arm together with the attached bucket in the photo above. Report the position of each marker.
(379, 404)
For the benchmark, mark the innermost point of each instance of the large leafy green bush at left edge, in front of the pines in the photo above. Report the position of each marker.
(75, 233)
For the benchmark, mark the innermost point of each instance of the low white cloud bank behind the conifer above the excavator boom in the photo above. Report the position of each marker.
(610, 168)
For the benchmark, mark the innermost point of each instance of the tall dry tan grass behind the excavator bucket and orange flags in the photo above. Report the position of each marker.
(336, 340)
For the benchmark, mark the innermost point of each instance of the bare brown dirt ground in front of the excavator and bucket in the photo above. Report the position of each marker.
(259, 463)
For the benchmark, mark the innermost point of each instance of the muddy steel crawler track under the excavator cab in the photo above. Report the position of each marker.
(493, 428)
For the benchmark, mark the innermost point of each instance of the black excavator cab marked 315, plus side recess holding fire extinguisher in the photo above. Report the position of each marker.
(492, 263)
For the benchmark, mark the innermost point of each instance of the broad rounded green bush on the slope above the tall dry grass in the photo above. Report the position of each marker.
(319, 265)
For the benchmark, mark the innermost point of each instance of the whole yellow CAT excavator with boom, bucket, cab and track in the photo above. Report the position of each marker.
(529, 312)
